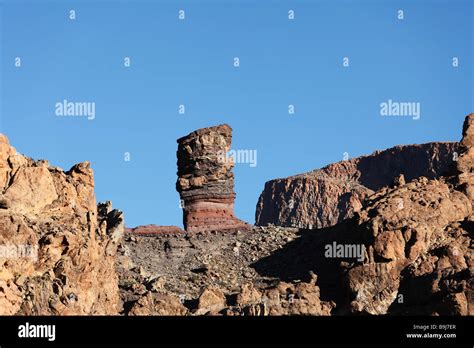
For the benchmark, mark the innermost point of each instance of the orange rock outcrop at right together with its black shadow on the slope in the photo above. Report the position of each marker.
(417, 243)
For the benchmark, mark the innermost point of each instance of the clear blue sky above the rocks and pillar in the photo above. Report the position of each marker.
(190, 62)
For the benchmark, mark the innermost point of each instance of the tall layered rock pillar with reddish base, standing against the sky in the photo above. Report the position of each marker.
(205, 180)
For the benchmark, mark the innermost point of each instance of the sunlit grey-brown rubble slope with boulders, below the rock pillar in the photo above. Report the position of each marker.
(213, 274)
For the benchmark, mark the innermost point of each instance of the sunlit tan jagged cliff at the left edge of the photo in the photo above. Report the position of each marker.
(53, 214)
